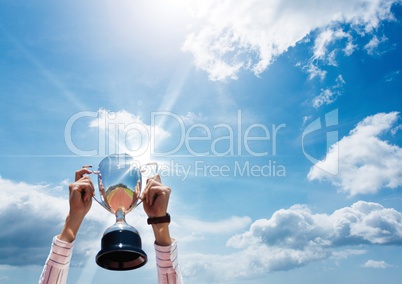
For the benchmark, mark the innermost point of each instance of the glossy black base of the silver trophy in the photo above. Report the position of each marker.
(121, 250)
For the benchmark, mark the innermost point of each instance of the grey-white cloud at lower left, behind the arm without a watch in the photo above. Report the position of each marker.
(41, 211)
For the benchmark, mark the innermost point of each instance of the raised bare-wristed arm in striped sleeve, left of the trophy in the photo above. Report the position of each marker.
(56, 268)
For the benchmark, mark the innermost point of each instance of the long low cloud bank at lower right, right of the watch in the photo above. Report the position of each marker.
(295, 237)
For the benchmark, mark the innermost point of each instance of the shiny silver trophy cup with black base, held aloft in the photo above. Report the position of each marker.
(119, 189)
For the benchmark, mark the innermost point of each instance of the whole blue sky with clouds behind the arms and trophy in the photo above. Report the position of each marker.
(277, 126)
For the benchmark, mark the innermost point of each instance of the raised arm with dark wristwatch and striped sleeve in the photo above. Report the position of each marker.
(155, 201)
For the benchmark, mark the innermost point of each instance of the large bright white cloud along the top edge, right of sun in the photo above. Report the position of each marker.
(234, 34)
